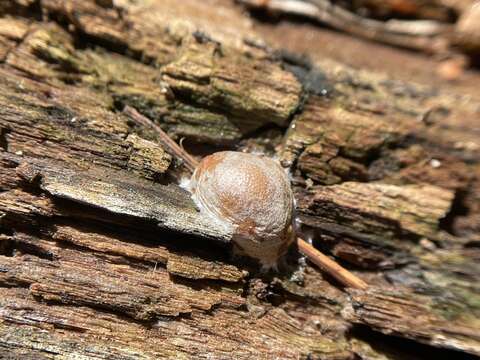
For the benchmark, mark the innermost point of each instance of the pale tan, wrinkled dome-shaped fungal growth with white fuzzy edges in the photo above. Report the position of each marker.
(250, 195)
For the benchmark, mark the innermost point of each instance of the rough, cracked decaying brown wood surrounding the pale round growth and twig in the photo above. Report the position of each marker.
(102, 256)
